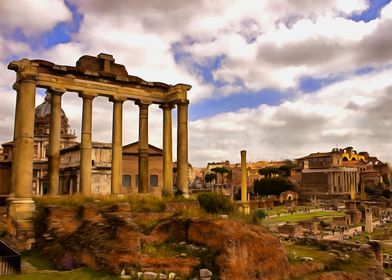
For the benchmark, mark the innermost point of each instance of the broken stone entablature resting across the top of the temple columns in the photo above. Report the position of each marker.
(98, 76)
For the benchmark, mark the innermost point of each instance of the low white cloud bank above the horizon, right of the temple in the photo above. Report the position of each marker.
(311, 123)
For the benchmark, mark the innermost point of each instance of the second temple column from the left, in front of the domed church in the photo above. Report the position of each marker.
(54, 140)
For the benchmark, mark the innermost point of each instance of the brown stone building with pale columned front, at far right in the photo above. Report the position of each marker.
(339, 173)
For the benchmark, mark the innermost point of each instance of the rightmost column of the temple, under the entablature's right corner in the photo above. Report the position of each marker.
(182, 147)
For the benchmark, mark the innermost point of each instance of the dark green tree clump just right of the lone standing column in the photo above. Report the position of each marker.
(272, 186)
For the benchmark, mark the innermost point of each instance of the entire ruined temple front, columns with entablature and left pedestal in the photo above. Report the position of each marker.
(91, 77)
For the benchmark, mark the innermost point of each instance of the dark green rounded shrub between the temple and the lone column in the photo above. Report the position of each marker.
(215, 203)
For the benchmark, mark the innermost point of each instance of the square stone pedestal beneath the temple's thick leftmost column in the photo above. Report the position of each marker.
(20, 223)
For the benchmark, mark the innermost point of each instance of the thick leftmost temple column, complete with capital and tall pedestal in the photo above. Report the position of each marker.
(20, 206)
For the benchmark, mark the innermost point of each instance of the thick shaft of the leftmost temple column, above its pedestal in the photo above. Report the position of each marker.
(23, 151)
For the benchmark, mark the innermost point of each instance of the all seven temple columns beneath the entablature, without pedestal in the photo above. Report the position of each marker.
(24, 137)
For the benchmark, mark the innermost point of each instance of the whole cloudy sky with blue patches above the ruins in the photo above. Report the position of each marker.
(279, 78)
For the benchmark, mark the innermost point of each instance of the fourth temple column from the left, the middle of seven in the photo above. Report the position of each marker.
(117, 145)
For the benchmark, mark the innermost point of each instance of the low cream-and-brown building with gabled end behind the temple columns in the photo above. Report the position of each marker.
(101, 169)
